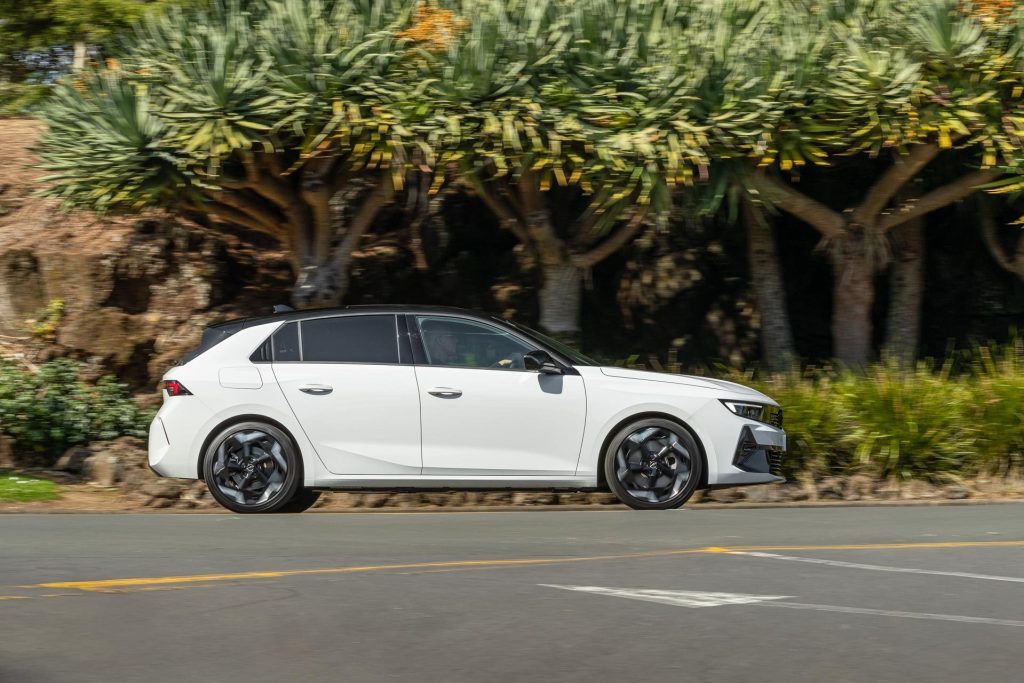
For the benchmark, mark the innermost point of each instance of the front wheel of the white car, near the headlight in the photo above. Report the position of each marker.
(653, 464)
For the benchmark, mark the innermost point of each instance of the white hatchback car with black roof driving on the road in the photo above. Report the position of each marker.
(270, 411)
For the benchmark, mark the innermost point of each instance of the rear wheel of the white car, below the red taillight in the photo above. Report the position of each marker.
(253, 467)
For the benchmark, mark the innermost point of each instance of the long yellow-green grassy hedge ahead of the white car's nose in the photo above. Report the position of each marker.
(962, 420)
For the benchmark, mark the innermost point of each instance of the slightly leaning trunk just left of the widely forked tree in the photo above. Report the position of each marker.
(777, 335)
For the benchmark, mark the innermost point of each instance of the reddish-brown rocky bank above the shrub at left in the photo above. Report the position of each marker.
(136, 290)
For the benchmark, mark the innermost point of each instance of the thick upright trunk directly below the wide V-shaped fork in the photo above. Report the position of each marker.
(854, 295)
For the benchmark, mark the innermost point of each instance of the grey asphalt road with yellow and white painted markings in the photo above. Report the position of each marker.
(838, 594)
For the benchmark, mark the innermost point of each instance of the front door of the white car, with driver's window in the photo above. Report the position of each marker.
(484, 414)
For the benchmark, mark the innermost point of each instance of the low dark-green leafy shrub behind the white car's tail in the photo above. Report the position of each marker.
(48, 411)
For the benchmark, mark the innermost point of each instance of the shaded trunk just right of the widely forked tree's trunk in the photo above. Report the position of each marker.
(907, 279)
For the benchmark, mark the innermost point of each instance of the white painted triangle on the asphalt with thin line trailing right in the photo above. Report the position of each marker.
(702, 600)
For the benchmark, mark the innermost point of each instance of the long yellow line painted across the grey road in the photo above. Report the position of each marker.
(112, 585)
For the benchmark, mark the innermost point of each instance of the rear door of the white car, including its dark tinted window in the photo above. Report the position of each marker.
(345, 379)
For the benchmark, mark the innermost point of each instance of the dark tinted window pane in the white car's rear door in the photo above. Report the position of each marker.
(351, 339)
